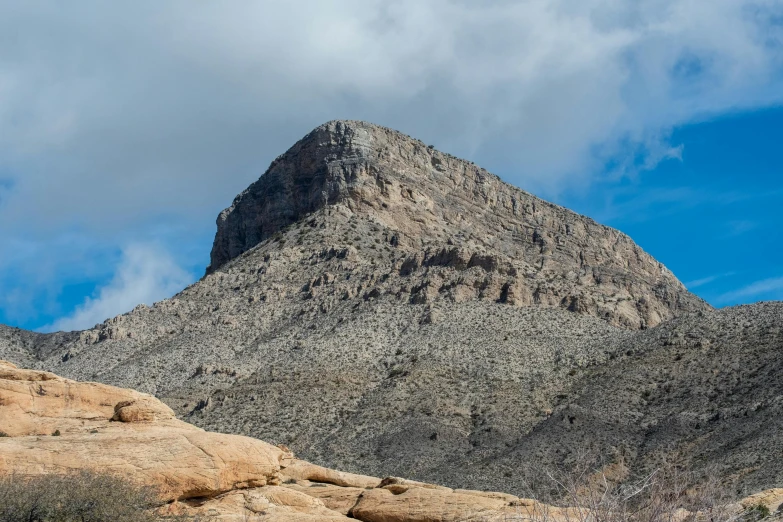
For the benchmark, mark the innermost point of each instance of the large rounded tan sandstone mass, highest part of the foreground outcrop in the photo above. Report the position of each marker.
(55, 425)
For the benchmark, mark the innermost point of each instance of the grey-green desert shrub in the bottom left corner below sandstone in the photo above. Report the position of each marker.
(76, 497)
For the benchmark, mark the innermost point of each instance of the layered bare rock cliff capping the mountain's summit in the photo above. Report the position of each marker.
(448, 212)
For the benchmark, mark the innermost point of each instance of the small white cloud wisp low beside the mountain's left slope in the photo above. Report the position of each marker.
(145, 274)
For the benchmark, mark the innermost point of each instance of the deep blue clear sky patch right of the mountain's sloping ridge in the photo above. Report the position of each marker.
(713, 217)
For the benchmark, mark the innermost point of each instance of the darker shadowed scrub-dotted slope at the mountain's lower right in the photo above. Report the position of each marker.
(703, 390)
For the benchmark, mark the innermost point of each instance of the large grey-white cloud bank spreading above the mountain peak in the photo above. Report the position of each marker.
(116, 117)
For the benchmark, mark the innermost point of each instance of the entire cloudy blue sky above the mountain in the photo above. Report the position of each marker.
(126, 127)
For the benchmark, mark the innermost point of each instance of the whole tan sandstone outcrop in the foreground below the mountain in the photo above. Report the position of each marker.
(228, 477)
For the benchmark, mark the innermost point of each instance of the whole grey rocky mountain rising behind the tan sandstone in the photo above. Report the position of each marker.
(384, 308)
